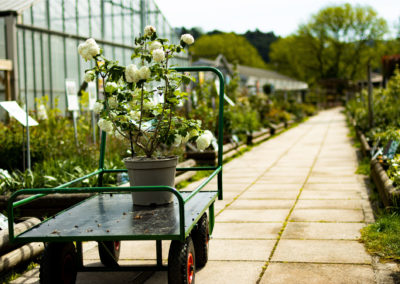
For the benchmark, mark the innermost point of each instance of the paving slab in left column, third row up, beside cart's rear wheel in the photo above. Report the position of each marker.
(246, 230)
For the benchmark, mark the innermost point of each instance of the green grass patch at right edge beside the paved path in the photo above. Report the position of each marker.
(382, 238)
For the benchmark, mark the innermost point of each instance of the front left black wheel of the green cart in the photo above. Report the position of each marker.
(59, 264)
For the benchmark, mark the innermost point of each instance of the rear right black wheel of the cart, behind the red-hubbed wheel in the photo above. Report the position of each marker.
(201, 237)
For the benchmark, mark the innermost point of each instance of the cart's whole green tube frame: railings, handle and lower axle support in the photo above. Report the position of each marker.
(183, 199)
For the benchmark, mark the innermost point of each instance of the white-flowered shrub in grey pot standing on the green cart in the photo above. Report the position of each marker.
(140, 104)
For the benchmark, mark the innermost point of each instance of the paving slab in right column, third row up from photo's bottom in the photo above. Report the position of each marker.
(322, 231)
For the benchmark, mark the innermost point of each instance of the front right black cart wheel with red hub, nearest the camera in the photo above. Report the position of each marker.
(181, 262)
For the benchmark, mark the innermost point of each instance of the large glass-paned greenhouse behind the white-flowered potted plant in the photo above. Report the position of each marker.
(39, 39)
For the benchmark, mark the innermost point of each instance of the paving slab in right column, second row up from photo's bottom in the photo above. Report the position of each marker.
(321, 251)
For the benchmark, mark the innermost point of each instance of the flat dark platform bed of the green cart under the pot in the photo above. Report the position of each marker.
(113, 217)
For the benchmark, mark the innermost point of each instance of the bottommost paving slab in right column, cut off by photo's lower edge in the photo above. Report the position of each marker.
(310, 273)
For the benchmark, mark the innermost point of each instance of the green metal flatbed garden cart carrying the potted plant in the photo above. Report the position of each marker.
(109, 217)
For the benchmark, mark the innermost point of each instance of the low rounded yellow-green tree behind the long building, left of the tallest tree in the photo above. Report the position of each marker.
(234, 47)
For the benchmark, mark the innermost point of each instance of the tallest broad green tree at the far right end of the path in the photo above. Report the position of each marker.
(337, 42)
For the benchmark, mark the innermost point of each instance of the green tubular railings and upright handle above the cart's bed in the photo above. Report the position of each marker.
(68, 187)
